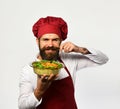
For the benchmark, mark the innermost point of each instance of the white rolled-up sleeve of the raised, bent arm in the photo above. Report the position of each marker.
(95, 58)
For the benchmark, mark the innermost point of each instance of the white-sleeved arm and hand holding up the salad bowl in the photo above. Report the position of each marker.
(29, 96)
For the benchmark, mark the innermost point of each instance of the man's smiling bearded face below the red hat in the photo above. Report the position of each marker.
(49, 45)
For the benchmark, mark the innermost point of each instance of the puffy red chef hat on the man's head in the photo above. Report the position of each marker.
(50, 24)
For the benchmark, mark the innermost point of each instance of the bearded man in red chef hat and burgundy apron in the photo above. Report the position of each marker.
(55, 91)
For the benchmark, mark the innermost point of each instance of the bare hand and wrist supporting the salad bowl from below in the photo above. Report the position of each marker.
(43, 83)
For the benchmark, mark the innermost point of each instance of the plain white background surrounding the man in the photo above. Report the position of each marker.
(92, 23)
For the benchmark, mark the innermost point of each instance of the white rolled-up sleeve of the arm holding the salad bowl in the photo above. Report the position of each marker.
(27, 99)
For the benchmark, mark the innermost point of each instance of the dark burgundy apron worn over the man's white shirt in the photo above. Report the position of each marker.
(60, 95)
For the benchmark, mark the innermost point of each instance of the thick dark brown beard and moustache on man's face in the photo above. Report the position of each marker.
(53, 55)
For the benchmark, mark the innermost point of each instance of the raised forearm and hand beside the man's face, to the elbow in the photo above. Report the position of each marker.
(96, 57)
